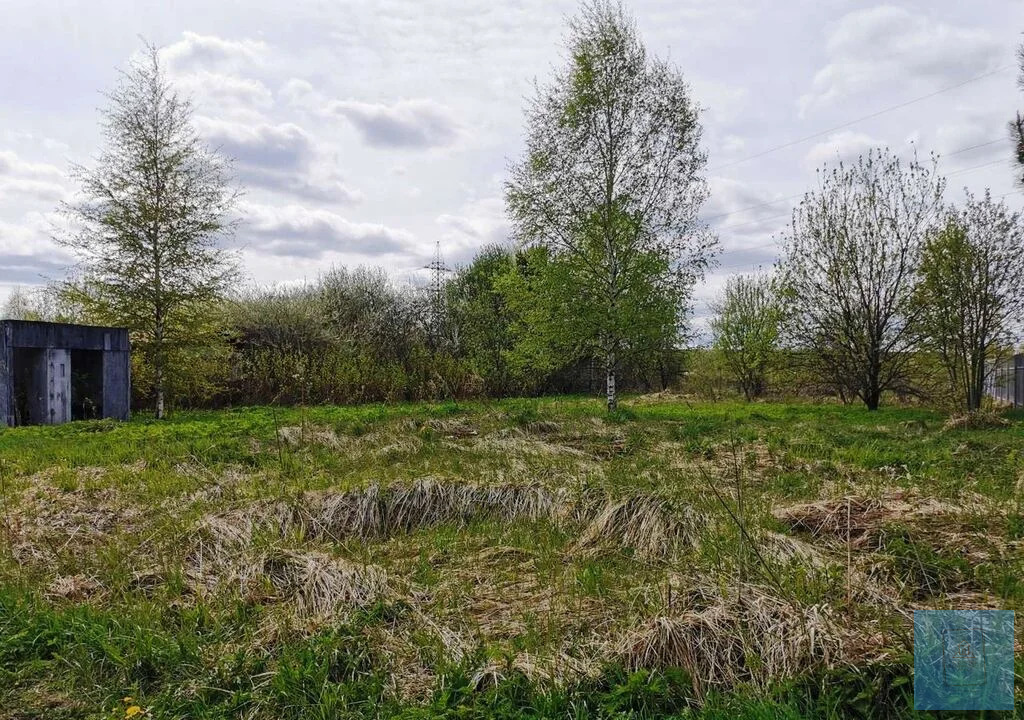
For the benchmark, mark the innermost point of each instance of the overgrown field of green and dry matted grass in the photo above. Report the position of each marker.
(522, 559)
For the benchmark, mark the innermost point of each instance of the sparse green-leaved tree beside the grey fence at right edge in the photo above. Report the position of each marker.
(972, 292)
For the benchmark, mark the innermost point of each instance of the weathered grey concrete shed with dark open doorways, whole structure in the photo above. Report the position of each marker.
(52, 373)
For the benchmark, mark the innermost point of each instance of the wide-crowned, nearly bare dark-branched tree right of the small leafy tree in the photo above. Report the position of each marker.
(850, 268)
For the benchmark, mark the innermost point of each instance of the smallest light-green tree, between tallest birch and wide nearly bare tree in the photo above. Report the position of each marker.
(747, 327)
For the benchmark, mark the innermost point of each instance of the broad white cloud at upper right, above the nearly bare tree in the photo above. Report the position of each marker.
(889, 45)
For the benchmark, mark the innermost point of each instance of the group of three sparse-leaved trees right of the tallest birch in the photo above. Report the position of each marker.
(885, 288)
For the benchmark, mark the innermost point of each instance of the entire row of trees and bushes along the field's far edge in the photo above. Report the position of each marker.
(884, 288)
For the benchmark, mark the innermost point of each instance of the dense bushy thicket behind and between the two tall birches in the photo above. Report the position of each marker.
(357, 336)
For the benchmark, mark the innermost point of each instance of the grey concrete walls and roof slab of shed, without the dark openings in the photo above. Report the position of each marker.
(50, 398)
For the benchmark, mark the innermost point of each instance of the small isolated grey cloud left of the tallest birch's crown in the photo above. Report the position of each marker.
(404, 124)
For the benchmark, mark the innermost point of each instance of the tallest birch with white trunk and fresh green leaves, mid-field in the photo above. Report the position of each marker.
(611, 187)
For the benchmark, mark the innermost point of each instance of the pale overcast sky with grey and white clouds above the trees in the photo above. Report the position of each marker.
(366, 132)
